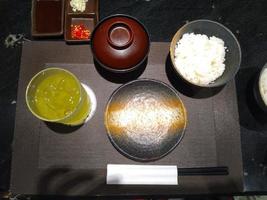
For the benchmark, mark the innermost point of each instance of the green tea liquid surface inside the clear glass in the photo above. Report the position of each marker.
(56, 96)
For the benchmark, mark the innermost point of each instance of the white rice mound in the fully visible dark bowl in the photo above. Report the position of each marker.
(200, 59)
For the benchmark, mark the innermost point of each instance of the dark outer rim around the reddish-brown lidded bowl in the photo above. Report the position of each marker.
(127, 69)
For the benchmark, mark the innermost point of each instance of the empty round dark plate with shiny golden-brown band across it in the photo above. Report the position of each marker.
(145, 119)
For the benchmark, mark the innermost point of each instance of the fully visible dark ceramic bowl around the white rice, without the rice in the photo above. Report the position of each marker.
(211, 28)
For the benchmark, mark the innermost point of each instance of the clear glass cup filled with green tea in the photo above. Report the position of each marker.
(58, 96)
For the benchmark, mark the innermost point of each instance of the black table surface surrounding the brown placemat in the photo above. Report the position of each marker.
(247, 19)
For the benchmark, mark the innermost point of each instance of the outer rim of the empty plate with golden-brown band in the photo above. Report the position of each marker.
(121, 150)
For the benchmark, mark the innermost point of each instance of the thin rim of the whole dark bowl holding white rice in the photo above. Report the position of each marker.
(173, 42)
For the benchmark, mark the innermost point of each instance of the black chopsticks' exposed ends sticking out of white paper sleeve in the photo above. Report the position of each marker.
(203, 171)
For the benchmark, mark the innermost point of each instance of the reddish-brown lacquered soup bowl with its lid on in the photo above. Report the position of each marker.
(120, 43)
